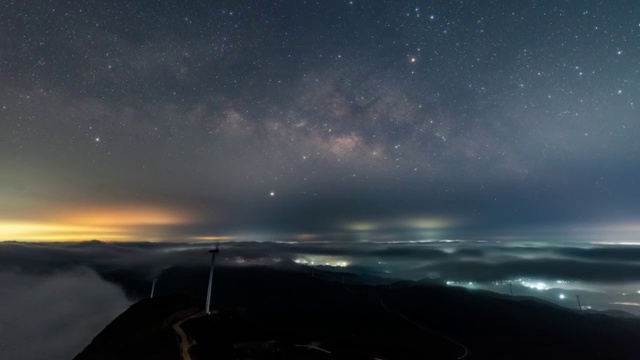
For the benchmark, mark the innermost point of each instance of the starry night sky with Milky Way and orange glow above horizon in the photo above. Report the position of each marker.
(320, 120)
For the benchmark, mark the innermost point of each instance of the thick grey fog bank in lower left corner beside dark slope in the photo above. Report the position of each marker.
(54, 315)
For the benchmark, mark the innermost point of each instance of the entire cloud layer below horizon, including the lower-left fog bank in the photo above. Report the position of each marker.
(47, 299)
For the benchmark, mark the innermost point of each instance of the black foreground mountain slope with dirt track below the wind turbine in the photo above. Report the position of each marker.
(270, 314)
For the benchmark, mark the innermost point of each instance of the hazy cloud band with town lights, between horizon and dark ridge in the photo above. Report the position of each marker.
(603, 274)
